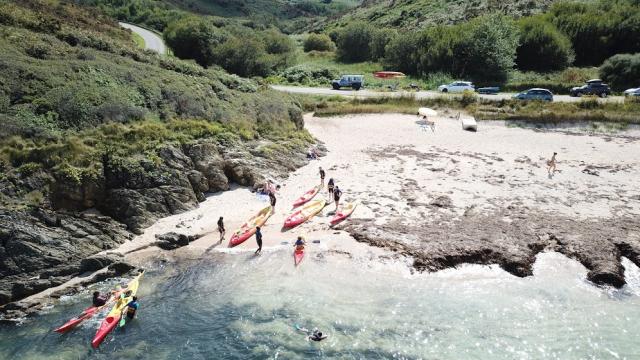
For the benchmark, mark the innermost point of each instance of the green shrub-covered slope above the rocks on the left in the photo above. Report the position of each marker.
(74, 86)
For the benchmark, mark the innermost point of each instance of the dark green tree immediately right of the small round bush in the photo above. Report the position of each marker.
(354, 41)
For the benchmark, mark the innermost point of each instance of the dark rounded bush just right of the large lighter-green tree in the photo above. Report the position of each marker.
(542, 46)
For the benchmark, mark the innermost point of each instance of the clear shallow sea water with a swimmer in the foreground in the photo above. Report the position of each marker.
(240, 306)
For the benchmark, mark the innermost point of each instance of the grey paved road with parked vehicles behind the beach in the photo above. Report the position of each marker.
(418, 95)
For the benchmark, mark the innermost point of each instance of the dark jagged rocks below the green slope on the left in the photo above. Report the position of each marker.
(46, 246)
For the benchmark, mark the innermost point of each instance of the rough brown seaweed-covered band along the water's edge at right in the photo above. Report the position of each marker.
(513, 244)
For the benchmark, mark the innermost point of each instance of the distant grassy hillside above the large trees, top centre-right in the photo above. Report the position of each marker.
(412, 14)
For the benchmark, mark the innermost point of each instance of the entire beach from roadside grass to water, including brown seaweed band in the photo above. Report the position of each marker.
(407, 180)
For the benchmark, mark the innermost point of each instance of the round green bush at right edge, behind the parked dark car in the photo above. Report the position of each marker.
(622, 71)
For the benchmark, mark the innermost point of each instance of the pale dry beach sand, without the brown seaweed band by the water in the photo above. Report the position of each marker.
(465, 168)
